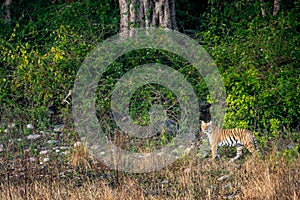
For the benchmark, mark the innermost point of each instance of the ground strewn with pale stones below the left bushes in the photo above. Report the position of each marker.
(37, 154)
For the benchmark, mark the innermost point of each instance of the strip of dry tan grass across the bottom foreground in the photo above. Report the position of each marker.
(187, 178)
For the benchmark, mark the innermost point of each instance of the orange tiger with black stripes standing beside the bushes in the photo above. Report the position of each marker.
(229, 137)
